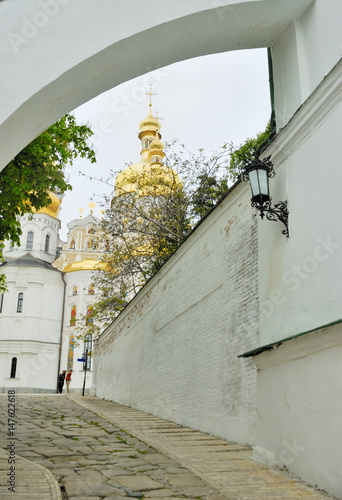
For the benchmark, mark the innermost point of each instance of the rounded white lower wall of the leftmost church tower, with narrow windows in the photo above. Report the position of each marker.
(32, 336)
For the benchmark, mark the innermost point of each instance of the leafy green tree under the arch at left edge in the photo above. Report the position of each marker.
(39, 168)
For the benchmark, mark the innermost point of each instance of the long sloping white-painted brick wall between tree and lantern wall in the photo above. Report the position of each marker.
(173, 351)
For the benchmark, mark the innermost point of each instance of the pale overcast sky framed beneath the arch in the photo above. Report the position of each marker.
(204, 102)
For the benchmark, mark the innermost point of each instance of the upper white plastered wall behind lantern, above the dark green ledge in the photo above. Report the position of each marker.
(299, 276)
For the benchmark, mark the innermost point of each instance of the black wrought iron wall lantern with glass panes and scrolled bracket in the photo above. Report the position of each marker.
(258, 173)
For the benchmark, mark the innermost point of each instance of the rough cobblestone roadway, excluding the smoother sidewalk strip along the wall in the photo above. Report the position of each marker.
(91, 458)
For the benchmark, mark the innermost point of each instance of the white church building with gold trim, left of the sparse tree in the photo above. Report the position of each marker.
(49, 296)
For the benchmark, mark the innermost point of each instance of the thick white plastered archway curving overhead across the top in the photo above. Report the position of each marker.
(58, 54)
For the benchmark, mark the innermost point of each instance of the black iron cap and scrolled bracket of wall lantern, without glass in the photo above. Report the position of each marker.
(263, 201)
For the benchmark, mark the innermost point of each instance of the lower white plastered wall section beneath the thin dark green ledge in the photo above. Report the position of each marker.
(300, 408)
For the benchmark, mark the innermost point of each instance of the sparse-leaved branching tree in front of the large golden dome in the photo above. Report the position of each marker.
(141, 233)
